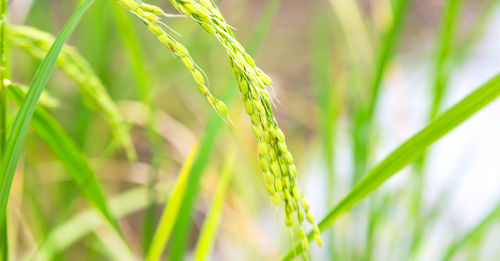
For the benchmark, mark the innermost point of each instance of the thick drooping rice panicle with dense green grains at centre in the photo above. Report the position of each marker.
(276, 161)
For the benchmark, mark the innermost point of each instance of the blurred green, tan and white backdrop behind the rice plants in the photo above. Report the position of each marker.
(325, 58)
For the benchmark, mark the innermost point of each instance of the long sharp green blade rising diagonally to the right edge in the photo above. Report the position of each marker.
(411, 150)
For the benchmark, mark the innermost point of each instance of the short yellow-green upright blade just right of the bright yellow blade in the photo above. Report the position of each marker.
(210, 226)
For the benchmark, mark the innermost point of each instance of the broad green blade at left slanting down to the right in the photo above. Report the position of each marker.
(70, 156)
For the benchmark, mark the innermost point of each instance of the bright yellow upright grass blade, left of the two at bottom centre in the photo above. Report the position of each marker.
(172, 208)
